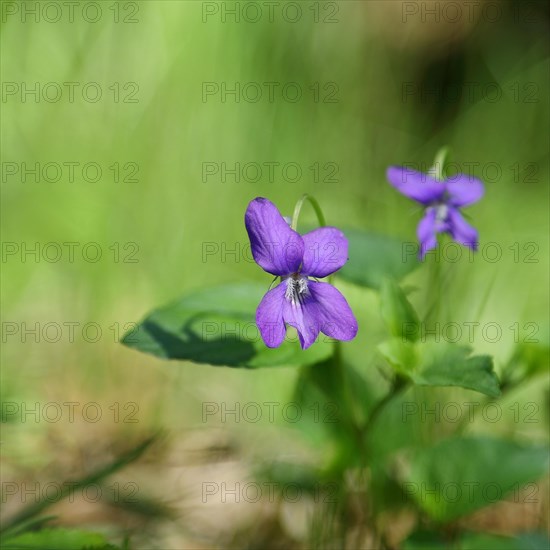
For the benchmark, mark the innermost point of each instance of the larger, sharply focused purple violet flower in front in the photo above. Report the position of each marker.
(309, 306)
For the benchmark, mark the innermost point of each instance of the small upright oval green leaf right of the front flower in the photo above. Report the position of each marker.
(397, 312)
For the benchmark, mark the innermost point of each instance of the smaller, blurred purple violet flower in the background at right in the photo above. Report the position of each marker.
(443, 200)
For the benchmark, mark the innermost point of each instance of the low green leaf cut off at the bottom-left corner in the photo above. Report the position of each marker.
(58, 539)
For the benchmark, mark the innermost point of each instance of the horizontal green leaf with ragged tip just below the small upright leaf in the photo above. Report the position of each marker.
(442, 364)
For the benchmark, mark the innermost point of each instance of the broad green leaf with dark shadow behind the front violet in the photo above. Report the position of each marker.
(217, 327)
